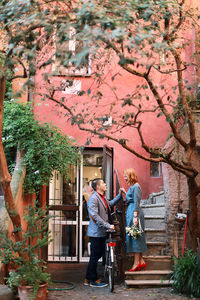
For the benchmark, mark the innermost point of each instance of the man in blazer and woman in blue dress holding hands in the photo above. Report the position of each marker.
(99, 213)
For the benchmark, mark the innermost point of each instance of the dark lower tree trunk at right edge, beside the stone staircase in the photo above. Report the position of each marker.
(193, 211)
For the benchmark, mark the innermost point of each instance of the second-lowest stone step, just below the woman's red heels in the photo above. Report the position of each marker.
(149, 275)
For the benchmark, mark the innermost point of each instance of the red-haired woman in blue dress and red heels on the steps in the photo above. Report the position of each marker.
(133, 215)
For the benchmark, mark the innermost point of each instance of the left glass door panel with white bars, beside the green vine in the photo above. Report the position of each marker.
(63, 201)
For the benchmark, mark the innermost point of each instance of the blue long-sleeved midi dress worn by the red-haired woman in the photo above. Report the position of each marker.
(133, 197)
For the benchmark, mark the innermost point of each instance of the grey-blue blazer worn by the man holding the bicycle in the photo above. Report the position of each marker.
(99, 215)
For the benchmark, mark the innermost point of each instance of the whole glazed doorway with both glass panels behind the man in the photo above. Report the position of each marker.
(68, 200)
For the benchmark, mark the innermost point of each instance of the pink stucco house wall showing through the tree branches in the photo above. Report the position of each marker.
(155, 130)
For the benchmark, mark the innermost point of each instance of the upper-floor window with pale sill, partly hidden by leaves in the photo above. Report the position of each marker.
(71, 47)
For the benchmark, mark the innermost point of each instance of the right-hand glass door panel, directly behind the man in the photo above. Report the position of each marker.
(96, 163)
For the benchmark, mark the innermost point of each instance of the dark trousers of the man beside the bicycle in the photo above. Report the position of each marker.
(97, 249)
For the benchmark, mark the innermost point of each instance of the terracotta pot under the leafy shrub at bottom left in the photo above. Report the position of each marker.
(25, 292)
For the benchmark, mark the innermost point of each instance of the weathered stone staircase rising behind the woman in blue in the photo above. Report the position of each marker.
(159, 264)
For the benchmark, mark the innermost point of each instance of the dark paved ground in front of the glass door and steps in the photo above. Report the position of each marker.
(76, 273)
